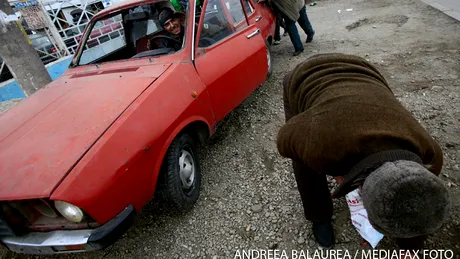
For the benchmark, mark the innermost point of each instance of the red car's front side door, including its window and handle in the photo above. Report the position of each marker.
(230, 55)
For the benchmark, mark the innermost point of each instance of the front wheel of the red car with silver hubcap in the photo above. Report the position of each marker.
(181, 176)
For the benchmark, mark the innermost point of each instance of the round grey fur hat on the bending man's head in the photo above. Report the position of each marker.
(404, 200)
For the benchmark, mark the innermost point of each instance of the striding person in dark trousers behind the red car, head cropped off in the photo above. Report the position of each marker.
(294, 11)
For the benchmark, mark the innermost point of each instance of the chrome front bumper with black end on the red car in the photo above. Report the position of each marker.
(66, 241)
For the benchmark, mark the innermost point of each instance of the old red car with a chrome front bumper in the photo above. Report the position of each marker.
(82, 156)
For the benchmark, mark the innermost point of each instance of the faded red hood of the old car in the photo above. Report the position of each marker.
(46, 134)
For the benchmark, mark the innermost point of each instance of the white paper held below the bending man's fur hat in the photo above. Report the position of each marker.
(360, 220)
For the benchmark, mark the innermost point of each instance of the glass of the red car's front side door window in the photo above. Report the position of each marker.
(216, 25)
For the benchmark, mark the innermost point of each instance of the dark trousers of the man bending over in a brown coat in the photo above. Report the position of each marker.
(312, 186)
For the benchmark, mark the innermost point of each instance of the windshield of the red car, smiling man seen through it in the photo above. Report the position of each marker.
(133, 33)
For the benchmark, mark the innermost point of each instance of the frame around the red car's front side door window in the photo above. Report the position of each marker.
(199, 50)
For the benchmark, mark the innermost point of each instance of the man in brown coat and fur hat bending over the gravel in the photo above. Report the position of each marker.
(343, 120)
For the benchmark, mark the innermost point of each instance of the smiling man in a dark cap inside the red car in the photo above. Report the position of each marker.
(173, 23)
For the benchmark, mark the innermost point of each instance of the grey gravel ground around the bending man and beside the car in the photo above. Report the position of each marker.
(249, 198)
